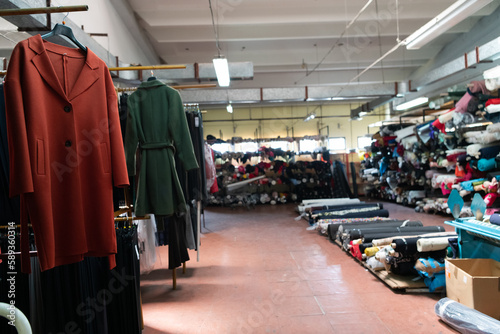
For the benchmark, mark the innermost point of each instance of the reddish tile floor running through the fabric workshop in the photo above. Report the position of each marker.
(260, 271)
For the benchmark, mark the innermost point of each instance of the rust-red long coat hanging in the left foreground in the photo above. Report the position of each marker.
(65, 149)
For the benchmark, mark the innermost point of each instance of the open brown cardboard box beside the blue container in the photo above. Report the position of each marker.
(475, 283)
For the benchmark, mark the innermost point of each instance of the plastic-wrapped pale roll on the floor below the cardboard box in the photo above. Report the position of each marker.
(465, 319)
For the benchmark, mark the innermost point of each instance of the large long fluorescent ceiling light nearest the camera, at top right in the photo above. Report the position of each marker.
(451, 16)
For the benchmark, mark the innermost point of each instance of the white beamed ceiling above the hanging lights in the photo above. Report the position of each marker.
(287, 38)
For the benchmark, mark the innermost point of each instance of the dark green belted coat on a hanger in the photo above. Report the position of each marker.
(157, 126)
